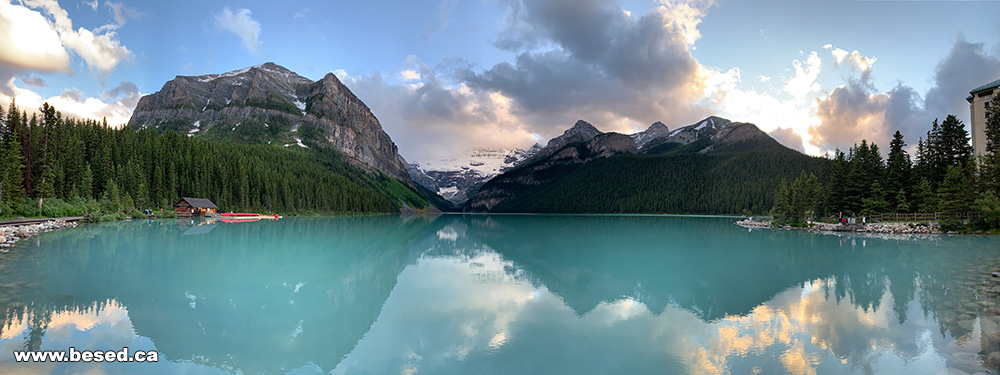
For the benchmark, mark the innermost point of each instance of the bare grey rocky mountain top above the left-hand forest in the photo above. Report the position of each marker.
(267, 104)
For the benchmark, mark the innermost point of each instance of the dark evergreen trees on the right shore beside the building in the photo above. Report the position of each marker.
(943, 177)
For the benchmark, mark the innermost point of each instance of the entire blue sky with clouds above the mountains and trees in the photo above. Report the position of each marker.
(445, 76)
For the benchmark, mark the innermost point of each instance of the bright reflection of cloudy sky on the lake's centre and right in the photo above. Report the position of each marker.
(479, 314)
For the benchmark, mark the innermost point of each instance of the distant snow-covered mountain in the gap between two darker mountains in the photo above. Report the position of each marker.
(453, 178)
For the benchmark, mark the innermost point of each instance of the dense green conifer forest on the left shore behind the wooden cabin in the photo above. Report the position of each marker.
(53, 166)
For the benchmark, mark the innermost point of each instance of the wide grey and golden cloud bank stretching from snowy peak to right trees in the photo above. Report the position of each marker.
(593, 60)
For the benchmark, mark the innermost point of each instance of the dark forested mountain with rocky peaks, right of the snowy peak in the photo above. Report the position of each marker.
(714, 166)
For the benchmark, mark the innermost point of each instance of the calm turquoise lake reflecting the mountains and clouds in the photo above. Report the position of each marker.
(504, 294)
